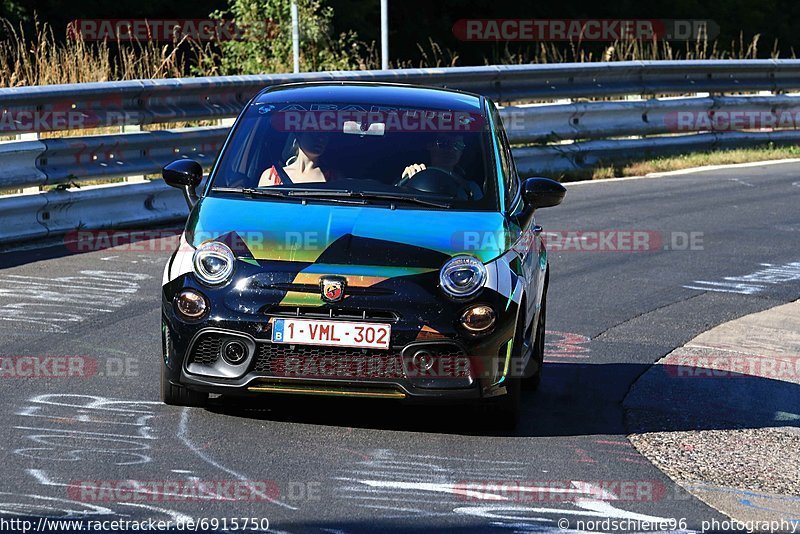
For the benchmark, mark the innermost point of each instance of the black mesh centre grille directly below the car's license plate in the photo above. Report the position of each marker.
(308, 361)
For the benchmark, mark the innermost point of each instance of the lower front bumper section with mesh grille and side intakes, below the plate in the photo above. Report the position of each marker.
(319, 370)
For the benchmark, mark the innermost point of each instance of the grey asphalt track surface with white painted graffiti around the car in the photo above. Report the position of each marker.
(718, 245)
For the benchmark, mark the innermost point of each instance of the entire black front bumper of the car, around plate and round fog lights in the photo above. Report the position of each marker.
(464, 367)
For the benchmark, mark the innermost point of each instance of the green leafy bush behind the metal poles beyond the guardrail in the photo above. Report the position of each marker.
(267, 43)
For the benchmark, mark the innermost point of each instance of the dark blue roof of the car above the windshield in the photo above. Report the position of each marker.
(372, 94)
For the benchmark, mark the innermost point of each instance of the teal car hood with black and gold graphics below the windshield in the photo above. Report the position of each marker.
(348, 235)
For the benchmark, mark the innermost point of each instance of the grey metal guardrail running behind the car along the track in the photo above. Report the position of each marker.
(559, 135)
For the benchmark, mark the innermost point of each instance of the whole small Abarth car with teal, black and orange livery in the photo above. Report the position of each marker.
(368, 240)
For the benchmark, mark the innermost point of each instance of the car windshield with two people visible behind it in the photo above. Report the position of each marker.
(439, 158)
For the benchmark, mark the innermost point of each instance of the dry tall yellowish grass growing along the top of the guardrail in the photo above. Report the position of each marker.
(43, 59)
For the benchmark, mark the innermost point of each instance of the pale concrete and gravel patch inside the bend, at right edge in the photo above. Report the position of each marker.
(721, 416)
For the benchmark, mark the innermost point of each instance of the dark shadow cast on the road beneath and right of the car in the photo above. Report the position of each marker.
(573, 400)
